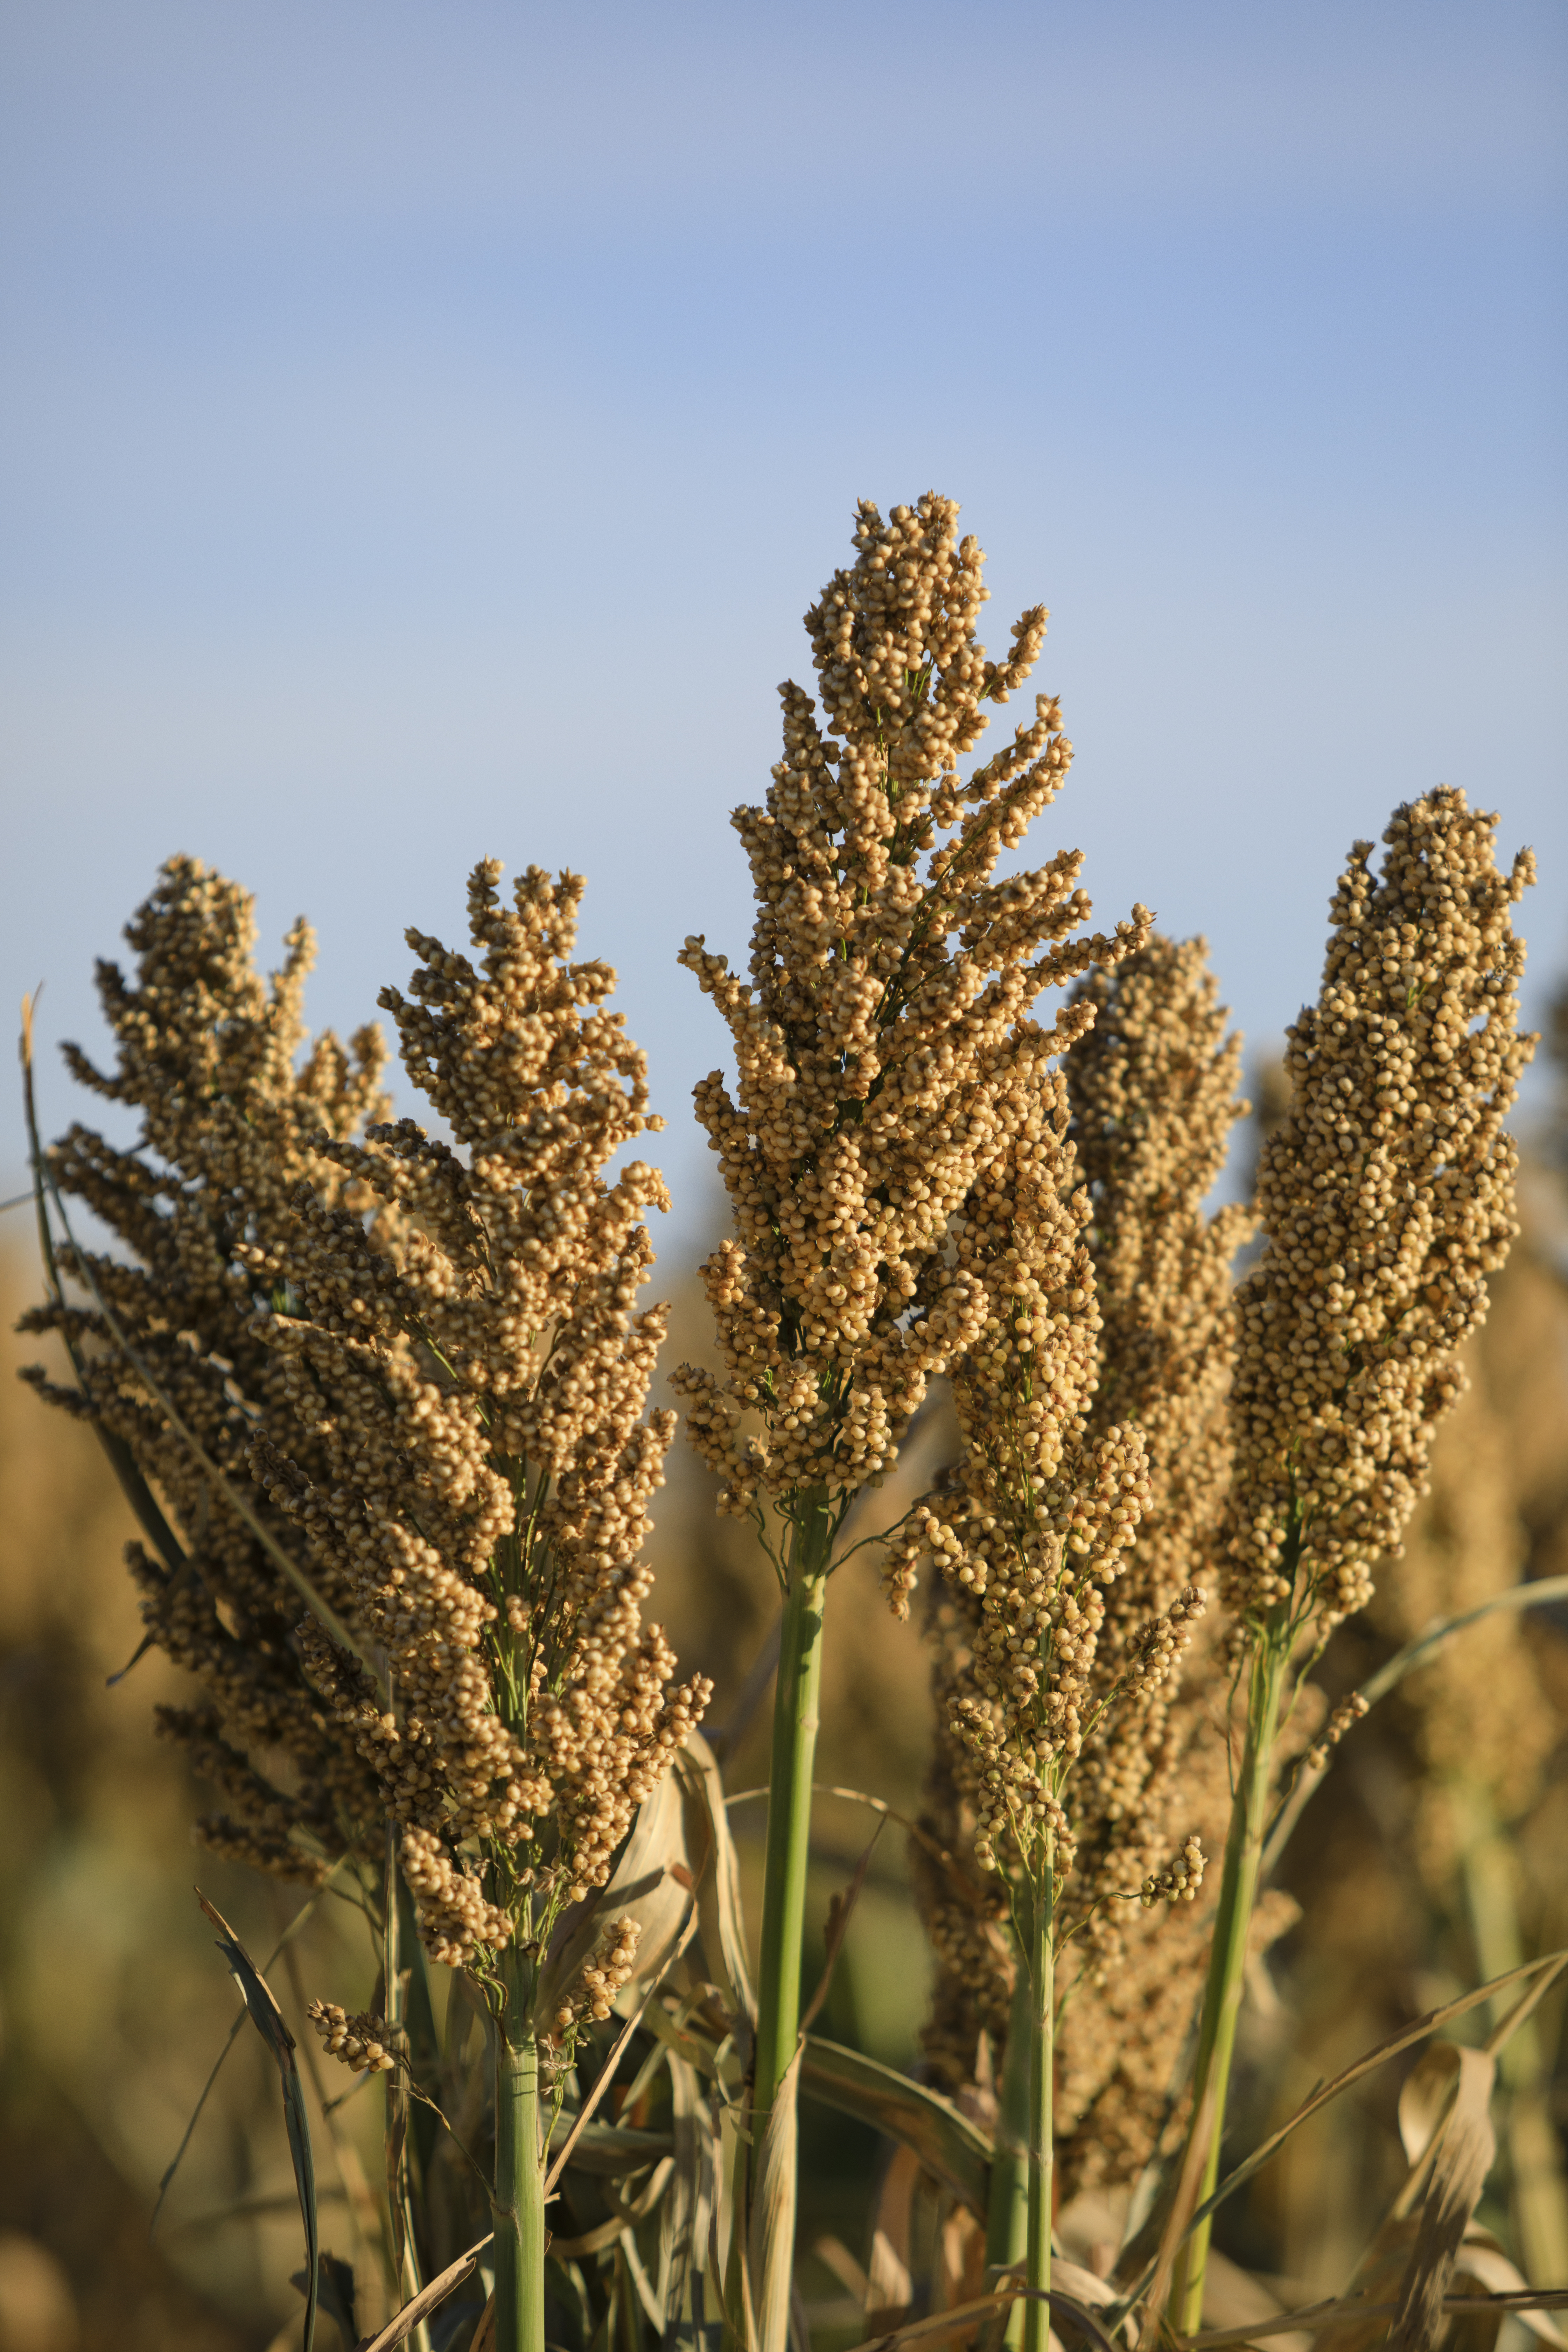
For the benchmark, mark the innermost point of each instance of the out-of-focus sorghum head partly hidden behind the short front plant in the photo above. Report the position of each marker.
(1153, 1100)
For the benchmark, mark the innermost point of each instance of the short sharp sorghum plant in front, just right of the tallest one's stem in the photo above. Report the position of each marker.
(1036, 1525)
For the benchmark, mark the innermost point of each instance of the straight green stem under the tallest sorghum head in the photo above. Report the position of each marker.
(784, 1892)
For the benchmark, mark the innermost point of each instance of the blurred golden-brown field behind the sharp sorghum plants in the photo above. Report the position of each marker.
(1435, 1855)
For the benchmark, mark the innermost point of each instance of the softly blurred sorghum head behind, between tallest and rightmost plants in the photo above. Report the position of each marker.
(1151, 1107)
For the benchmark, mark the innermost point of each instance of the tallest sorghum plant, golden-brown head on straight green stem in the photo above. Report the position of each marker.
(883, 1043)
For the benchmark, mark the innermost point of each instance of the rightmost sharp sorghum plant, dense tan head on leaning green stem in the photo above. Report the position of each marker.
(1386, 1198)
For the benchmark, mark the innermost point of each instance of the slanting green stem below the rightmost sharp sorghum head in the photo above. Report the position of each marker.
(1231, 1937)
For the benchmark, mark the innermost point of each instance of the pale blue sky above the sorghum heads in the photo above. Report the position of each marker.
(424, 427)
